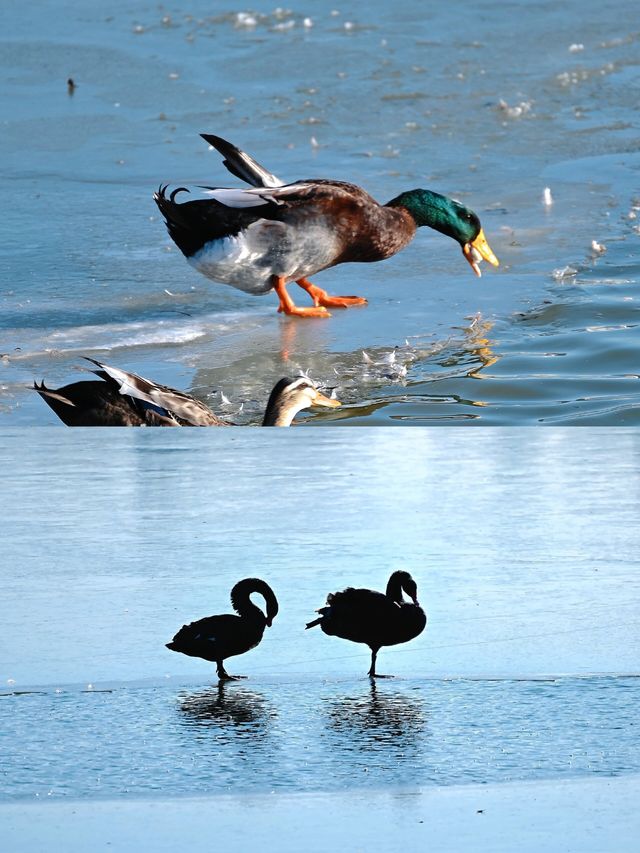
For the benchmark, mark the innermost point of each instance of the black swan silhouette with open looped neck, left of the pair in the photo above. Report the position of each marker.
(217, 638)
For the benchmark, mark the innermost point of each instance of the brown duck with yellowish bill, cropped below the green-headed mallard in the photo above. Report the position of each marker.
(126, 399)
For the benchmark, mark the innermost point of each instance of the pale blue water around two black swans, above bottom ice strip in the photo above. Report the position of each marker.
(523, 543)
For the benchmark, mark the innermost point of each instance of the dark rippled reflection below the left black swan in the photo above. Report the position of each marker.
(231, 709)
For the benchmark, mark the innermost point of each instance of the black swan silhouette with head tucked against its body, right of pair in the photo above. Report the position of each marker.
(374, 618)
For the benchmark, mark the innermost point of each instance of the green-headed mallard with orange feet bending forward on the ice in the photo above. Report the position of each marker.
(261, 239)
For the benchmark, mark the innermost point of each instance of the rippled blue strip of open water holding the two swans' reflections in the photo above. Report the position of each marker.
(314, 736)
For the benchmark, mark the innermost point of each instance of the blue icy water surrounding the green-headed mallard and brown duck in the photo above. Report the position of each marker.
(489, 102)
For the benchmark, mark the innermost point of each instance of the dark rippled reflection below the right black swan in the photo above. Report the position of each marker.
(380, 721)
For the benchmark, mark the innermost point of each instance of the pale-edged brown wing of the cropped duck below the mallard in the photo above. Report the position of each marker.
(161, 405)
